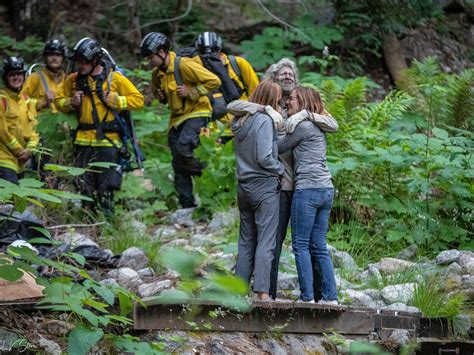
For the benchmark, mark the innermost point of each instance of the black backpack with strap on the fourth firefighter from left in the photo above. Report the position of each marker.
(227, 92)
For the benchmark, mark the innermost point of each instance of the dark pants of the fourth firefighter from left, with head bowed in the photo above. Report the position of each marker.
(182, 142)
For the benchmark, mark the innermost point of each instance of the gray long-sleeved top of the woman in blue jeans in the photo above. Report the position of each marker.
(309, 156)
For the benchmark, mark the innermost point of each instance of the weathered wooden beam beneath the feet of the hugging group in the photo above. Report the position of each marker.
(264, 317)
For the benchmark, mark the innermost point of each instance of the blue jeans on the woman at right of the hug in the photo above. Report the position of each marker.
(310, 212)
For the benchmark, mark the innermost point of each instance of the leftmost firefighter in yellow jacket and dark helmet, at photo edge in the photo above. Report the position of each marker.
(18, 137)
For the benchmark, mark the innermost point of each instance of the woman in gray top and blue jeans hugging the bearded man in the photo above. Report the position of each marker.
(312, 199)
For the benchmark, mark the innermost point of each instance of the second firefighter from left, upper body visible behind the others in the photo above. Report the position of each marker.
(44, 84)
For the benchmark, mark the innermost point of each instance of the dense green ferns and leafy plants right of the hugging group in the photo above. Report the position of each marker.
(402, 173)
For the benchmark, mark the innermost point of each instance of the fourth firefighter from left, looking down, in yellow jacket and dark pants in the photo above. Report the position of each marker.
(190, 107)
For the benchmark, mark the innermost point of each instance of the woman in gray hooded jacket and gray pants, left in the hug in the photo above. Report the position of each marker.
(258, 191)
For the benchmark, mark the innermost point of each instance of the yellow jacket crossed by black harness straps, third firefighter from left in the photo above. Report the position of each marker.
(123, 96)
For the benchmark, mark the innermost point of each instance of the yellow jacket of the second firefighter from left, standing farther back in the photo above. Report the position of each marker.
(35, 88)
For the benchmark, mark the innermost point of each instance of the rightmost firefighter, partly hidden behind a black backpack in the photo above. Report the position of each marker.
(239, 69)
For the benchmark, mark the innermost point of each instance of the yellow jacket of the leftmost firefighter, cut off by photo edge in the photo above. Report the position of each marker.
(17, 127)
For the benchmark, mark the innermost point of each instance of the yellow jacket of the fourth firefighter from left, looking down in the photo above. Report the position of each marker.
(200, 83)
